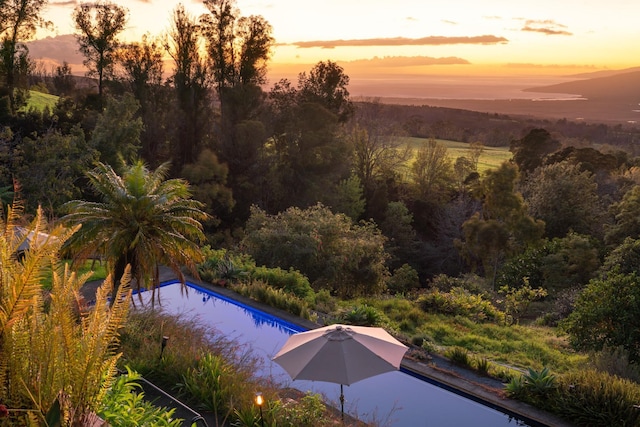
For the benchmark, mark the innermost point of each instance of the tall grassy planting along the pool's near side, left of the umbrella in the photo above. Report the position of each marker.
(193, 356)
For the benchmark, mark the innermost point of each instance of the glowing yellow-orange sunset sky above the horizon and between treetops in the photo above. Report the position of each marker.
(454, 37)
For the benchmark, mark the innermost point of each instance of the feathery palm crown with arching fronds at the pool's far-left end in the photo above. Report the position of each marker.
(142, 220)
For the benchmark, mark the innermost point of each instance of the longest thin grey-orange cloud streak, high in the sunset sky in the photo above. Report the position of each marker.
(402, 41)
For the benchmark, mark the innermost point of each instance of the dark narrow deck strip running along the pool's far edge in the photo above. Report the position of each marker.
(486, 390)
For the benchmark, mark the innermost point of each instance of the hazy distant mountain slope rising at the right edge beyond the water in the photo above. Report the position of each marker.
(624, 87)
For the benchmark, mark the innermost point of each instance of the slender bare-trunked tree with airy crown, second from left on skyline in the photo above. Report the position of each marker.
(99, 25)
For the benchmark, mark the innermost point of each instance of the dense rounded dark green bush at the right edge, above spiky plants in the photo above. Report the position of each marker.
(607, 312)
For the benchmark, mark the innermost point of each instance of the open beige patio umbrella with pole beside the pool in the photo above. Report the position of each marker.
(340, 354)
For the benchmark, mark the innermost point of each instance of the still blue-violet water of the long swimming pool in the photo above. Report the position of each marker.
(391, 399)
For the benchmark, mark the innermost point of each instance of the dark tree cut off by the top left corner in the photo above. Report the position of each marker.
(19, 20)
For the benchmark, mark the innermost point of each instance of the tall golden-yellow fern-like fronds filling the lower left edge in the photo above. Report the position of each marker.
(58, 358)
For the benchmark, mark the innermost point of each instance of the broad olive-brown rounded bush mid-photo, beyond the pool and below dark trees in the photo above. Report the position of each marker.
(328, 248)
